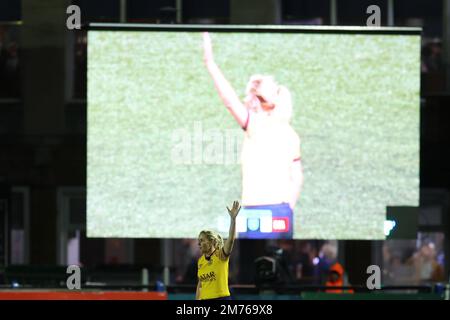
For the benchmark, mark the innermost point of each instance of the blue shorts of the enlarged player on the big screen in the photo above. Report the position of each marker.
(274, 221)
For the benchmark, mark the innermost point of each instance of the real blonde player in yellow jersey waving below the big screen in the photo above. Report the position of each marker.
(213, 264)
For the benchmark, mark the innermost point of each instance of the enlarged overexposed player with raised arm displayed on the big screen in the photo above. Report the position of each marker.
(272, 172)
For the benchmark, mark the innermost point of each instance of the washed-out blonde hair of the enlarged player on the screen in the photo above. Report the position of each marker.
(272, 92)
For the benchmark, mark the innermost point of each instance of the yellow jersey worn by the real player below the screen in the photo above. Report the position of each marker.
(213, 275)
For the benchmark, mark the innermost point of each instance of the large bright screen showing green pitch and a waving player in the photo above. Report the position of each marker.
(316, 135)
